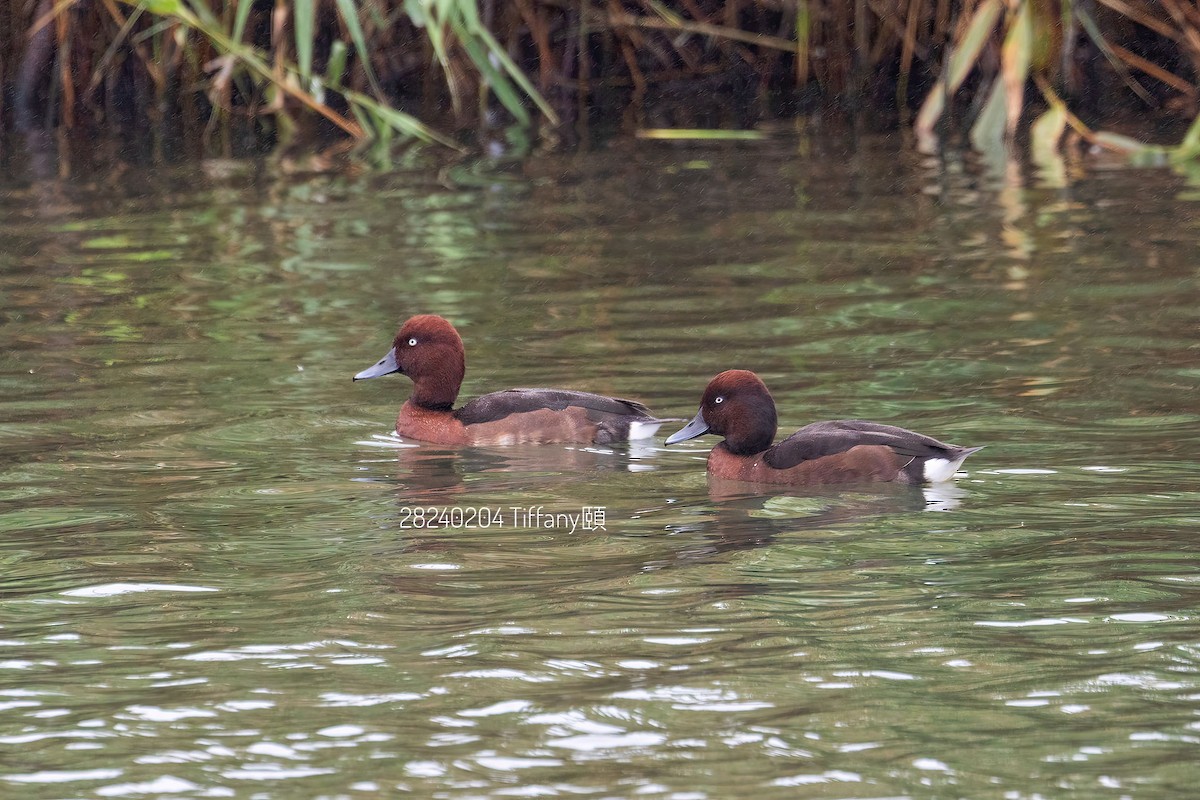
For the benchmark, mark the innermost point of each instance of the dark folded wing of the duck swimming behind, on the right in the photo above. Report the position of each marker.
(830, 438)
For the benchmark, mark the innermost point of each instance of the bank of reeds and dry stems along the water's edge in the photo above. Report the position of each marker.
(215, 71)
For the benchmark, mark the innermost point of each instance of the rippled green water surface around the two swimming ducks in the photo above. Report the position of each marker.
(217, 584)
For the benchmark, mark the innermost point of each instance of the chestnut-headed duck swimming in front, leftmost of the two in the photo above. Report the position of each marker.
(430, 351)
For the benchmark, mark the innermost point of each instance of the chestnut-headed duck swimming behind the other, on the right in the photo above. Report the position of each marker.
(739, 407)
